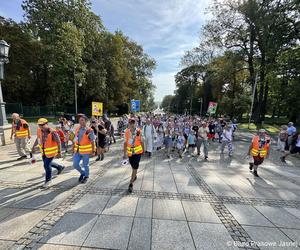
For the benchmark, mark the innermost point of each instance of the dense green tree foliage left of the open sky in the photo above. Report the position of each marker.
(62, 43)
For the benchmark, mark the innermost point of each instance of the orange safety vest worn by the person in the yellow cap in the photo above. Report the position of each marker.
(50, 147)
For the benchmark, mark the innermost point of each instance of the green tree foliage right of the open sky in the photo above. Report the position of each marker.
(245, 39)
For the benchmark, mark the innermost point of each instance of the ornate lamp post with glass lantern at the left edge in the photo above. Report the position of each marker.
(4, 49)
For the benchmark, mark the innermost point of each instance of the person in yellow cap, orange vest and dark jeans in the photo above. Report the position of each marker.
(50, 147)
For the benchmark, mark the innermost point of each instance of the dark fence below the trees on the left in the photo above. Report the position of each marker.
(37, 111)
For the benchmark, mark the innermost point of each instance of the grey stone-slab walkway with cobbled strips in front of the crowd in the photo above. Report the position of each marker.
(176, 204)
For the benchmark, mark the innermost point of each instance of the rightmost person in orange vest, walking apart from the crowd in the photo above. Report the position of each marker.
(259, 149)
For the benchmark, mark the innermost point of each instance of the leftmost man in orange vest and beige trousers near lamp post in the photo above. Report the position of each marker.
(21, 131)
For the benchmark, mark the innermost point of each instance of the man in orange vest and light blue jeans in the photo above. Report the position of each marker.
(84, 147)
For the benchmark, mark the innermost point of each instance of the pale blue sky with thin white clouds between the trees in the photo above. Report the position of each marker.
(165, 29)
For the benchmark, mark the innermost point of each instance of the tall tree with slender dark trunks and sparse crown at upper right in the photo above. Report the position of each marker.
(260, 31)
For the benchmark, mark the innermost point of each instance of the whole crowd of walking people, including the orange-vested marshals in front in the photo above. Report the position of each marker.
(143, 134)
